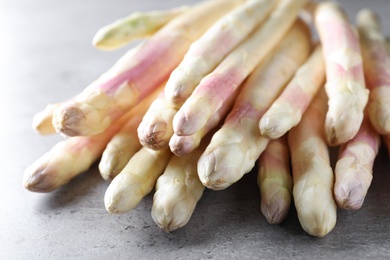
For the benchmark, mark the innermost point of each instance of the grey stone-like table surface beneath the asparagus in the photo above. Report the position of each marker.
(46, 56)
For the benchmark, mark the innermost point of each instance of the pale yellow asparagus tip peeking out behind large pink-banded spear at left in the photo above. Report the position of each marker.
(42, 121)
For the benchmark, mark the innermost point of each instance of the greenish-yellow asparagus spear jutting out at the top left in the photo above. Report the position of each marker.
(135, 26)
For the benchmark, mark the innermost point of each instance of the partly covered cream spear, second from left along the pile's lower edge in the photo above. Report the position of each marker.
(124, 144)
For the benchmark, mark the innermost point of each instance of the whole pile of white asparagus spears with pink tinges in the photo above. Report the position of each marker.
(215, 87)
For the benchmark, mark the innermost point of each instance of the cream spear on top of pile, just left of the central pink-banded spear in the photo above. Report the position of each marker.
(209, 50)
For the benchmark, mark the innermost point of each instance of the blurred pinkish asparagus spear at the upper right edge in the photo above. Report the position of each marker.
(376, 63)
